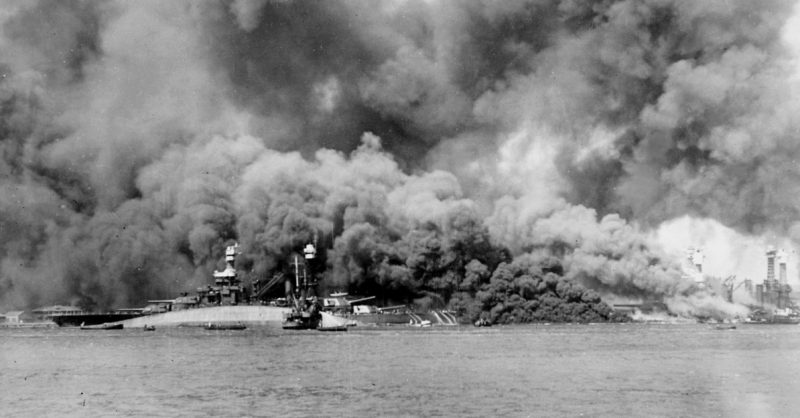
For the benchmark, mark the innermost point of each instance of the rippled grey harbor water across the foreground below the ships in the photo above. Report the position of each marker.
(535, 370)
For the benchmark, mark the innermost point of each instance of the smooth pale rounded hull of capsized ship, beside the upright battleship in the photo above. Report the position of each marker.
(250, 315)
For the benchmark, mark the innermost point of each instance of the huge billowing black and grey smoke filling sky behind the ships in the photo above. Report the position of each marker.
(510, 160)
